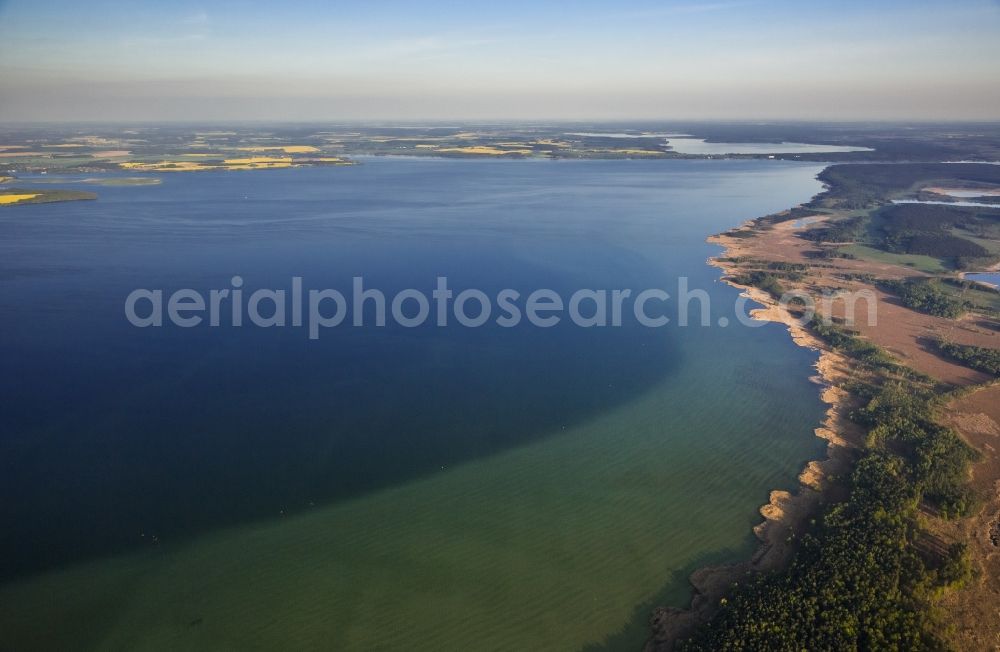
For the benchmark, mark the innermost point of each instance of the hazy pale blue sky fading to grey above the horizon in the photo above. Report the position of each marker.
(513, 59)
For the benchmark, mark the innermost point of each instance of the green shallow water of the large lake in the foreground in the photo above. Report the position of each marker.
(555, 545)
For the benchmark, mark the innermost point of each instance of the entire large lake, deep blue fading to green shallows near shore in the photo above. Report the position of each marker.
(384, 487)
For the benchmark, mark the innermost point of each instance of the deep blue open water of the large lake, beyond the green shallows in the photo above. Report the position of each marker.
(110, 432)
